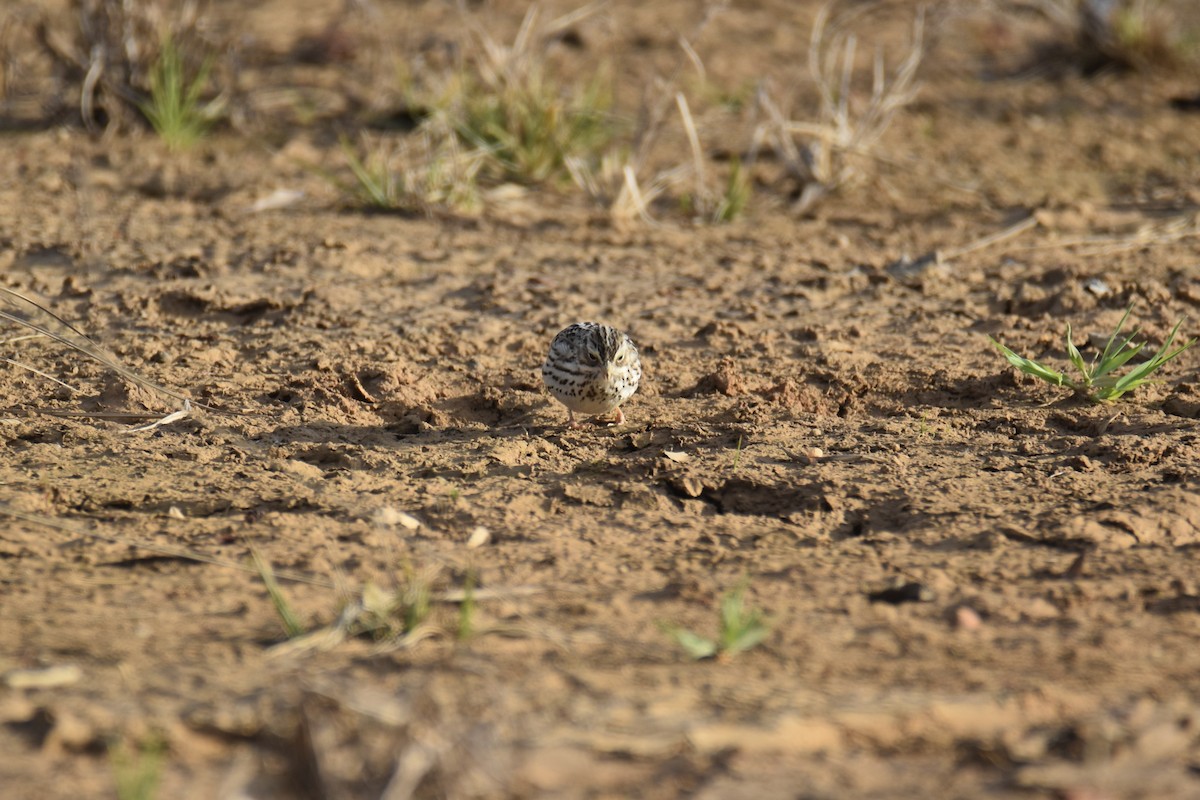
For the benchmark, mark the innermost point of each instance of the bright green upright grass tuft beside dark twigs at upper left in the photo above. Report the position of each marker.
(175, 107)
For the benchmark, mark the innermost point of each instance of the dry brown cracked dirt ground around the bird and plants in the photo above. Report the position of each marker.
(977, 585)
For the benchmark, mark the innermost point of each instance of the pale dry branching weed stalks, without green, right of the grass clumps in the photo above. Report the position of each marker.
(842, 147)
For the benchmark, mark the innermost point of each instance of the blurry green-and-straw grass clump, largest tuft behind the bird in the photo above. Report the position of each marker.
(499, 116)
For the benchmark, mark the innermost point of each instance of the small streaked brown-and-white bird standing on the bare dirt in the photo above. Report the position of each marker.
(592, 369)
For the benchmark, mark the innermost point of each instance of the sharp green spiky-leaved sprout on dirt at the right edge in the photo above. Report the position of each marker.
(1100, 382)
